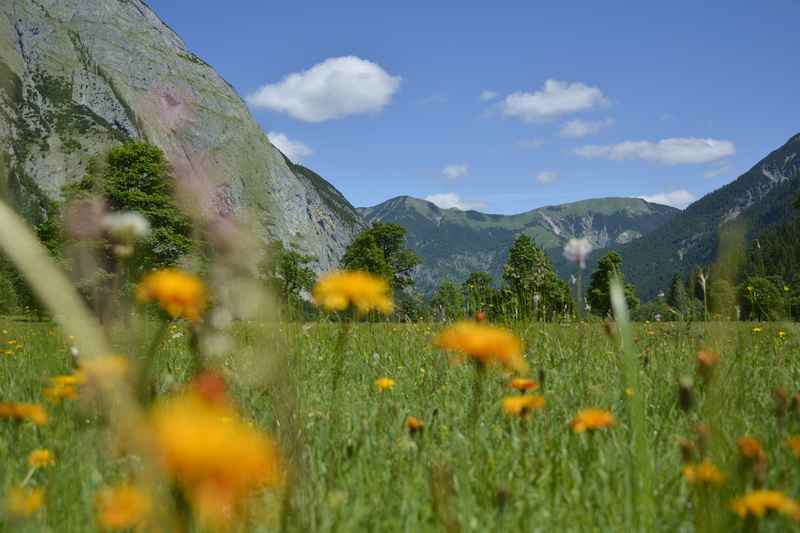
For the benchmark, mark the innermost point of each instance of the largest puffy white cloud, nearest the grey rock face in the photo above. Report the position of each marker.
(335, 88)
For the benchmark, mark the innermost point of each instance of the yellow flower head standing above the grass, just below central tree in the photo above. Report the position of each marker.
(336, 291)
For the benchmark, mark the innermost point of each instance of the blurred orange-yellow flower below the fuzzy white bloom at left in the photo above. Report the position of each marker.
(179, 294)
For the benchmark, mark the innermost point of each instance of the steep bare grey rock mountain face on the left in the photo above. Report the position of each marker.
(79, 76)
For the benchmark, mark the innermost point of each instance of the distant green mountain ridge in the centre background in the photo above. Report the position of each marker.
(452, 243)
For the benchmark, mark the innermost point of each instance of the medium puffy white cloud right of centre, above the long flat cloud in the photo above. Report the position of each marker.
(554, 99)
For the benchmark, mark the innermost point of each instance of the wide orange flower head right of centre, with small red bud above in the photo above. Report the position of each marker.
(485, 344)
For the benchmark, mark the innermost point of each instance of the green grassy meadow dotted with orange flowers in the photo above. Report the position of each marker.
(358, 468)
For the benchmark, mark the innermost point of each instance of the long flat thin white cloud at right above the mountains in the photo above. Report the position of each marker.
(676, 151)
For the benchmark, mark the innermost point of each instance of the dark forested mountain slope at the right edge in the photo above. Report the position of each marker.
(760, 198)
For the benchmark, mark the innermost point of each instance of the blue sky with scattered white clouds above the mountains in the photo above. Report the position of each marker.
(580, 99)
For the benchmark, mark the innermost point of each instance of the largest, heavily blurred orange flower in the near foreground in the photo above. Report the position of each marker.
(215, 456)
